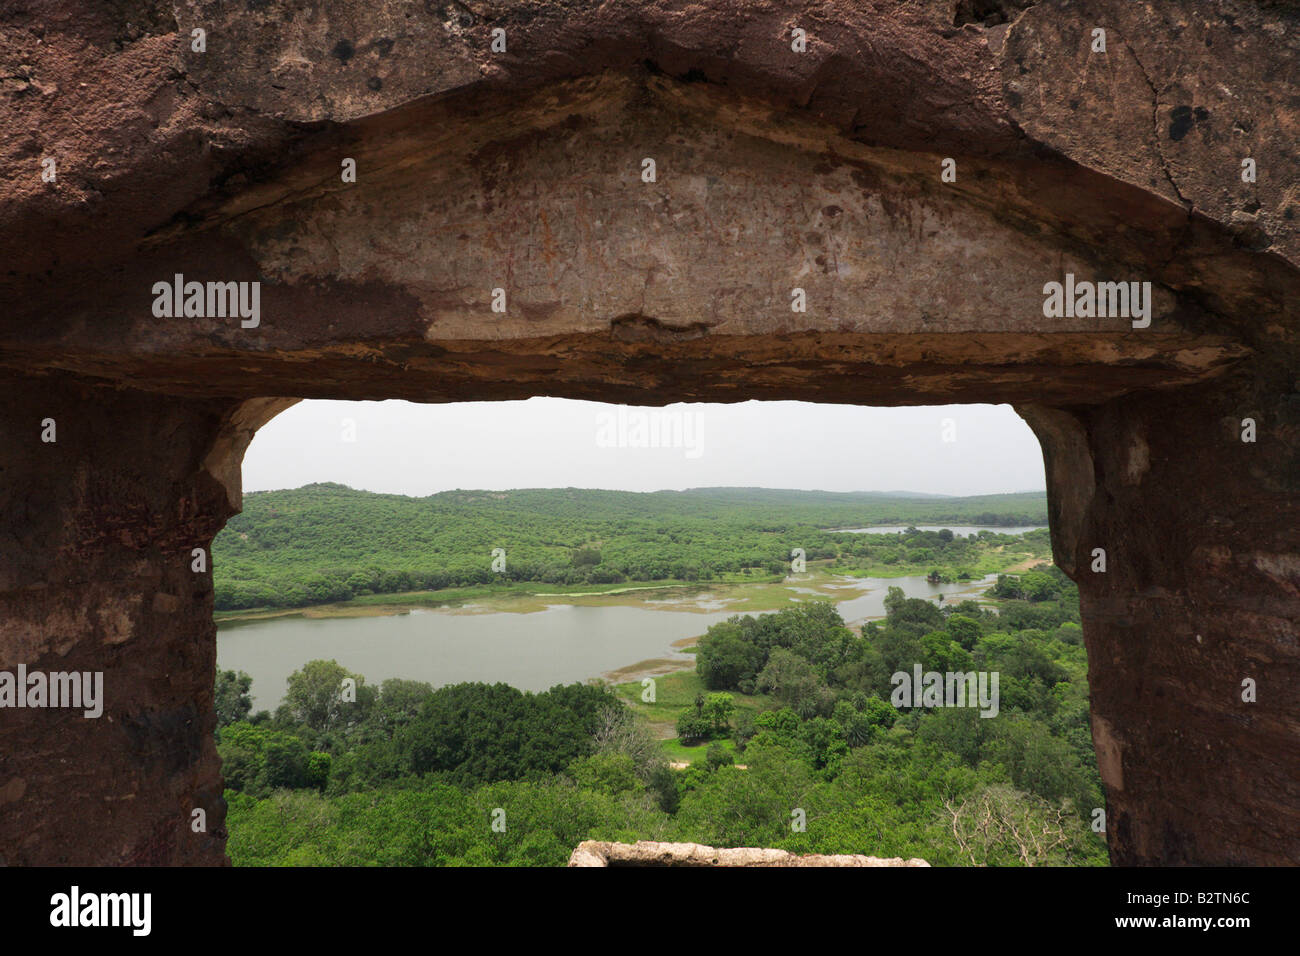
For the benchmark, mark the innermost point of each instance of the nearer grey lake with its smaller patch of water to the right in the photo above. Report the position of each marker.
(534, 651)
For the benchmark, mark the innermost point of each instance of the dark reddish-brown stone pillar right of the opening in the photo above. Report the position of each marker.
(1201, 595)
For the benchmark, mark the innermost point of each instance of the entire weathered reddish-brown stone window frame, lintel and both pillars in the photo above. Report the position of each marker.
(522, 171)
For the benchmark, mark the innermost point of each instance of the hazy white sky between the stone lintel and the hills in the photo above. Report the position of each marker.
(552, 443)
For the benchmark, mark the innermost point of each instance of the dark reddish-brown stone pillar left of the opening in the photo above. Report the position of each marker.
(96, 576)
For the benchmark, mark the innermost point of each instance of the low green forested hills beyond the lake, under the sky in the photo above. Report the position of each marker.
(328, 542)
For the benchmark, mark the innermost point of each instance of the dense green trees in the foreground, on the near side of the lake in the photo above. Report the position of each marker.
(786, 728)
